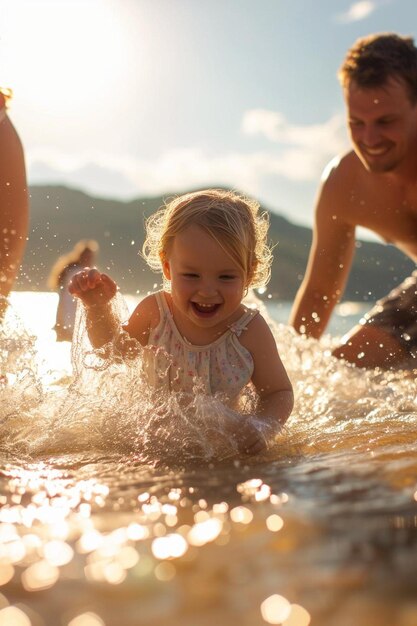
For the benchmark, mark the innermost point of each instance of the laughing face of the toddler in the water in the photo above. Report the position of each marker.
(207, 285)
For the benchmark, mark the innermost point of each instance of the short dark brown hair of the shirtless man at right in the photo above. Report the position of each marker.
(372, 60)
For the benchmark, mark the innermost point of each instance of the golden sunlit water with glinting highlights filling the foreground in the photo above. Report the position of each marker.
(120, 509)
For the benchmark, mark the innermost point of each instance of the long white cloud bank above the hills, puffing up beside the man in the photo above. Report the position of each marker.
(298, 153)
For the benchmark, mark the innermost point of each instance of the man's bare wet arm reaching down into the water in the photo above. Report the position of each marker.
(330, 259)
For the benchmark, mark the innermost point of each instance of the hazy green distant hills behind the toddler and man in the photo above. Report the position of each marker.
(61, 216)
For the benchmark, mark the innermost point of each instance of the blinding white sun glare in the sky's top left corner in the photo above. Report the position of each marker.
(60, 53)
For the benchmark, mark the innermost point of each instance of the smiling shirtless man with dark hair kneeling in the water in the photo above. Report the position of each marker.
(374, 186)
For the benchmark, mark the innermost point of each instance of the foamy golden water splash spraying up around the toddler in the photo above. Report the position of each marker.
(108, 407)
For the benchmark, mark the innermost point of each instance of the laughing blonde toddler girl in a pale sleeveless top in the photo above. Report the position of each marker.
(211, 248)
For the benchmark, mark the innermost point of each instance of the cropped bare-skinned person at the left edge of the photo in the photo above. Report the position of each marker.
(14, 204)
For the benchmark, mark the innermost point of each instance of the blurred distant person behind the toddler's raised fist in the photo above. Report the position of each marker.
(82, 255)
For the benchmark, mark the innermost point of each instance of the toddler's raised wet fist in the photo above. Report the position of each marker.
(92, 287)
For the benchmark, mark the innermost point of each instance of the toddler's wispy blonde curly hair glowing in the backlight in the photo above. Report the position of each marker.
(233, 220)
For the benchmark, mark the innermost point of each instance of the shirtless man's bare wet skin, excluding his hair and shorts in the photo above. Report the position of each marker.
(373, 186)
